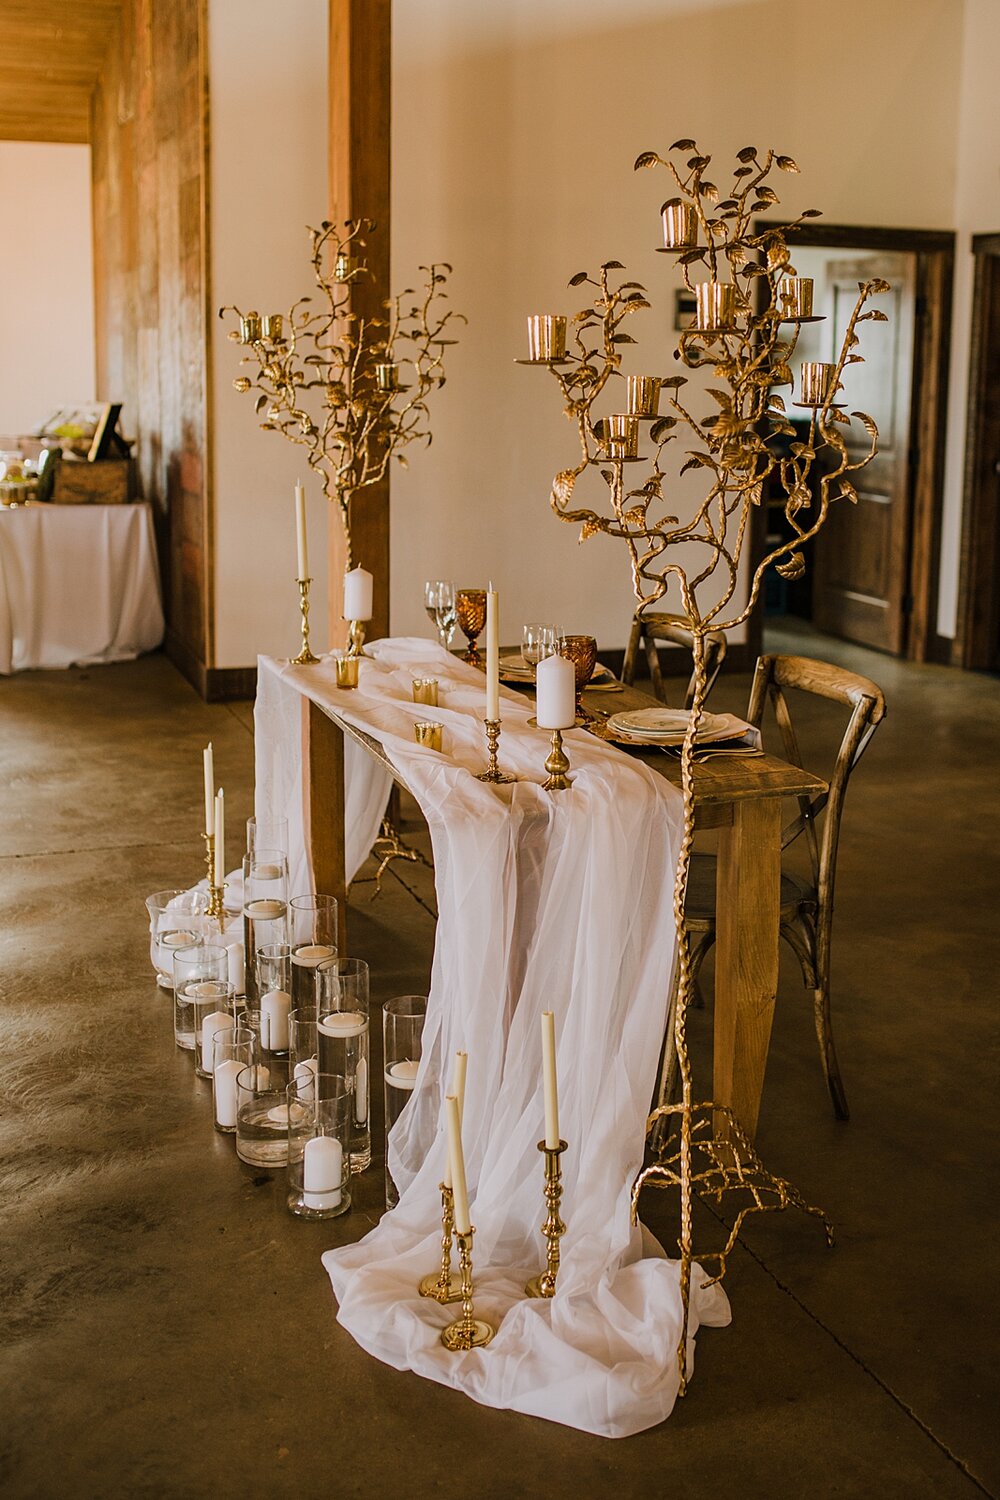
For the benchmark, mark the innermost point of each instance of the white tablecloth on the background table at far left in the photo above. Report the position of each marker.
(79, 586)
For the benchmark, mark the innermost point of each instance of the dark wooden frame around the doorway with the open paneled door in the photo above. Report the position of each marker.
(935, 251)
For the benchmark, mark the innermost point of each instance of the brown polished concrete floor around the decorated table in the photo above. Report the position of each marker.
(170, 1331)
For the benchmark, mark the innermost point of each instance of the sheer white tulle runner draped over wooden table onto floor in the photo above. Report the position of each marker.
(546, 902)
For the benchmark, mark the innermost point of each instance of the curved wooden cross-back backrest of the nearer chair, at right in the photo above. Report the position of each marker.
(869, 709)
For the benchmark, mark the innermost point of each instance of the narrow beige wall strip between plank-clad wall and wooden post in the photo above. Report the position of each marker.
(269, 181)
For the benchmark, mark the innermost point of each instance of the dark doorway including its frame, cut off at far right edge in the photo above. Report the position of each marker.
(978, 643)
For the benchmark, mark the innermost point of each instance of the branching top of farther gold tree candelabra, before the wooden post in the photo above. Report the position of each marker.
(352, 391)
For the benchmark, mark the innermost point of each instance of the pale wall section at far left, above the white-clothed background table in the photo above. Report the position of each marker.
(47, 289)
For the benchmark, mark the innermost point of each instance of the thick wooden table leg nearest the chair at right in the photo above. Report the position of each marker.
(747, 911)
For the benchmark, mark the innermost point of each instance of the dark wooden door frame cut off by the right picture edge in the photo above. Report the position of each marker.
(981, 514)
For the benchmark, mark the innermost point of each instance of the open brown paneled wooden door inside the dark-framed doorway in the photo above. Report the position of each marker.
(863, 553)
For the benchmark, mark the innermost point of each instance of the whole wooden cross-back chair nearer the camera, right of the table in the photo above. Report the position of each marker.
(807, 904)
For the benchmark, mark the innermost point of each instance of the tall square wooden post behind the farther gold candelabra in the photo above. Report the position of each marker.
(361, 97)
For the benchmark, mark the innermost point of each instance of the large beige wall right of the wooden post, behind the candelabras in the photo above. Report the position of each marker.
(513, 136)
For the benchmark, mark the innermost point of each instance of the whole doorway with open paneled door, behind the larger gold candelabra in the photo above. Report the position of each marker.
(873, 574)
